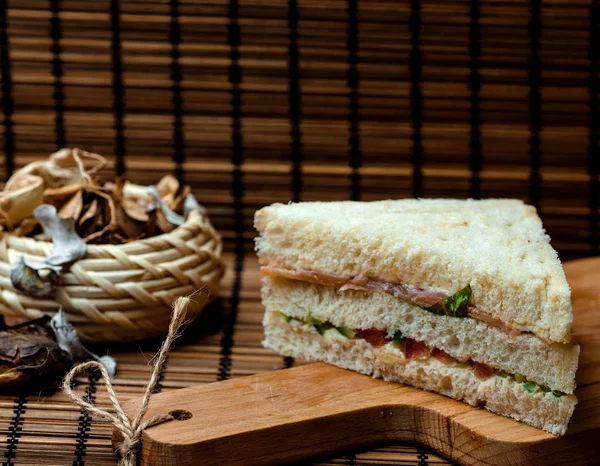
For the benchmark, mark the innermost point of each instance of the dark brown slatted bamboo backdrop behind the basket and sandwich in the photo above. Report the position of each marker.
(318, 99)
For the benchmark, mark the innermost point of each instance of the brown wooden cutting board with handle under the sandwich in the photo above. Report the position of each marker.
(315, 410)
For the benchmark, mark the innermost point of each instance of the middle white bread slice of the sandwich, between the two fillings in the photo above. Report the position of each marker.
(551, 365)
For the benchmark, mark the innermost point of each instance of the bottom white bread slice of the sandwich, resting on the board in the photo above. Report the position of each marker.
(497, 394)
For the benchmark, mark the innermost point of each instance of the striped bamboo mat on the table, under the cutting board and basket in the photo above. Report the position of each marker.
(47, 429)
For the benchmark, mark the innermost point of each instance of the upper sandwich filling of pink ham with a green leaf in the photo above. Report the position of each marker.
(435, 301)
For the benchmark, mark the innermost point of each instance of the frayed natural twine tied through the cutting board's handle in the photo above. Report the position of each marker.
(131, 431)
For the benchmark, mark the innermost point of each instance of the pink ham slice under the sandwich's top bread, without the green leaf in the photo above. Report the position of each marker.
(417, 296)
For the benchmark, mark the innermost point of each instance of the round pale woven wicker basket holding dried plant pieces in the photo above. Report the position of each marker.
(123, 292)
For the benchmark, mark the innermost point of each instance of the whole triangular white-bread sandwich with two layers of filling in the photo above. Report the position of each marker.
(464, 298)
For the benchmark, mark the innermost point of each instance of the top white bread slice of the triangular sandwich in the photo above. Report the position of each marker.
(498, 246)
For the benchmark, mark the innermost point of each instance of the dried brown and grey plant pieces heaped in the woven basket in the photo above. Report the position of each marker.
(61, 200)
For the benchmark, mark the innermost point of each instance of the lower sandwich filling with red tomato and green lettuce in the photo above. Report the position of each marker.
(412, 349)
